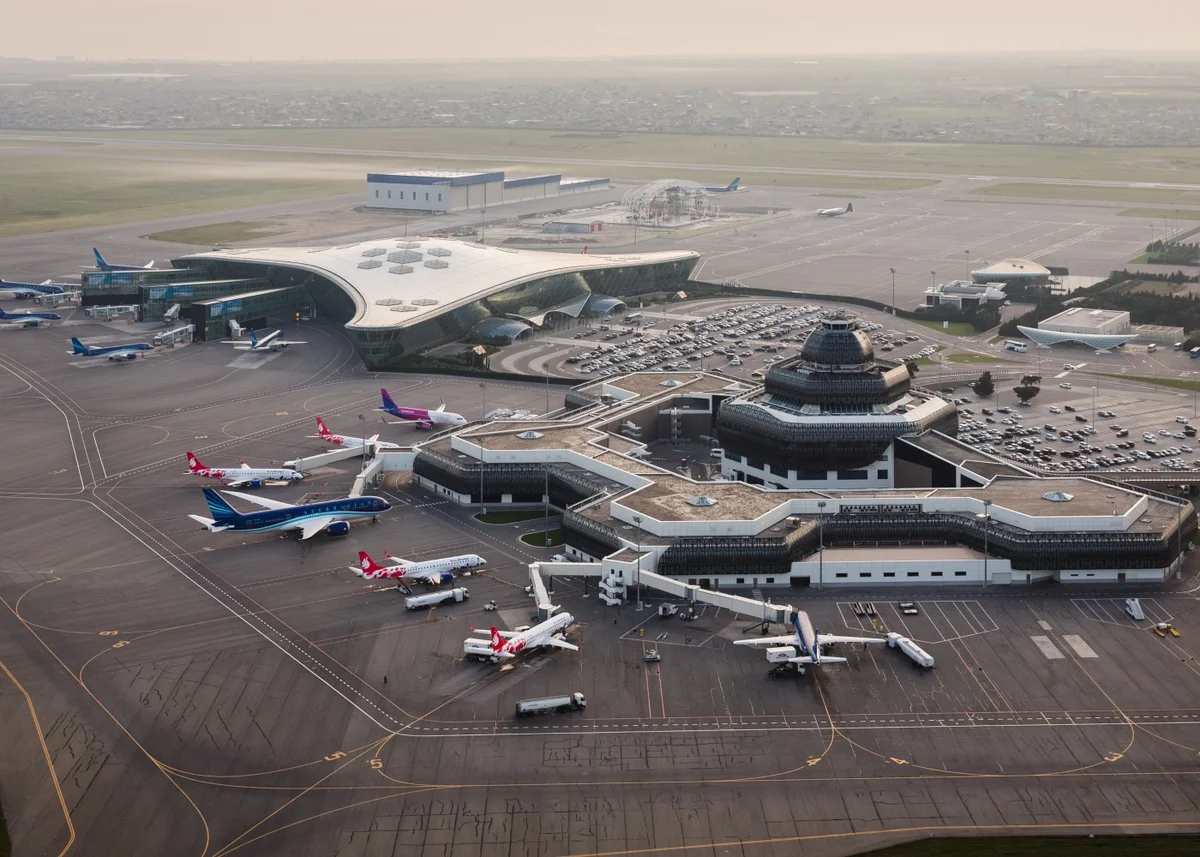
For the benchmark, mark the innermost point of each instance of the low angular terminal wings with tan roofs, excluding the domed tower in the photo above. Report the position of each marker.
(970, 519)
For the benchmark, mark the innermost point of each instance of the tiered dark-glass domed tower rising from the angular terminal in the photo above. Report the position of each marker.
(829, 418)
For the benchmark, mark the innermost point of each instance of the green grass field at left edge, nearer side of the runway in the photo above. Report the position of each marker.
(69, 191)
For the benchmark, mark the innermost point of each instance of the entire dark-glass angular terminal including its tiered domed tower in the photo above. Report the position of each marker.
(945, 514)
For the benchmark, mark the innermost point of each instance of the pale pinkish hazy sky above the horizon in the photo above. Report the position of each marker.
(457, 29)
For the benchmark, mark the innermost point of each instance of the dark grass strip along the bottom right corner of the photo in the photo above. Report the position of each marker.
(1163, 846)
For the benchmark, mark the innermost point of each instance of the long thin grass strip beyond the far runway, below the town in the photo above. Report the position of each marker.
(1177, 165)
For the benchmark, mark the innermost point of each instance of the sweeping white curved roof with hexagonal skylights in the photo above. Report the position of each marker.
(397, 283)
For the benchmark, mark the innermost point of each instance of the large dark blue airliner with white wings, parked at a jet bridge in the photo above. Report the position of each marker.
(309, 518)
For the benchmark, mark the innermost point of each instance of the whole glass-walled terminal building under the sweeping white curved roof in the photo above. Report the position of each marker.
(400, 298)
